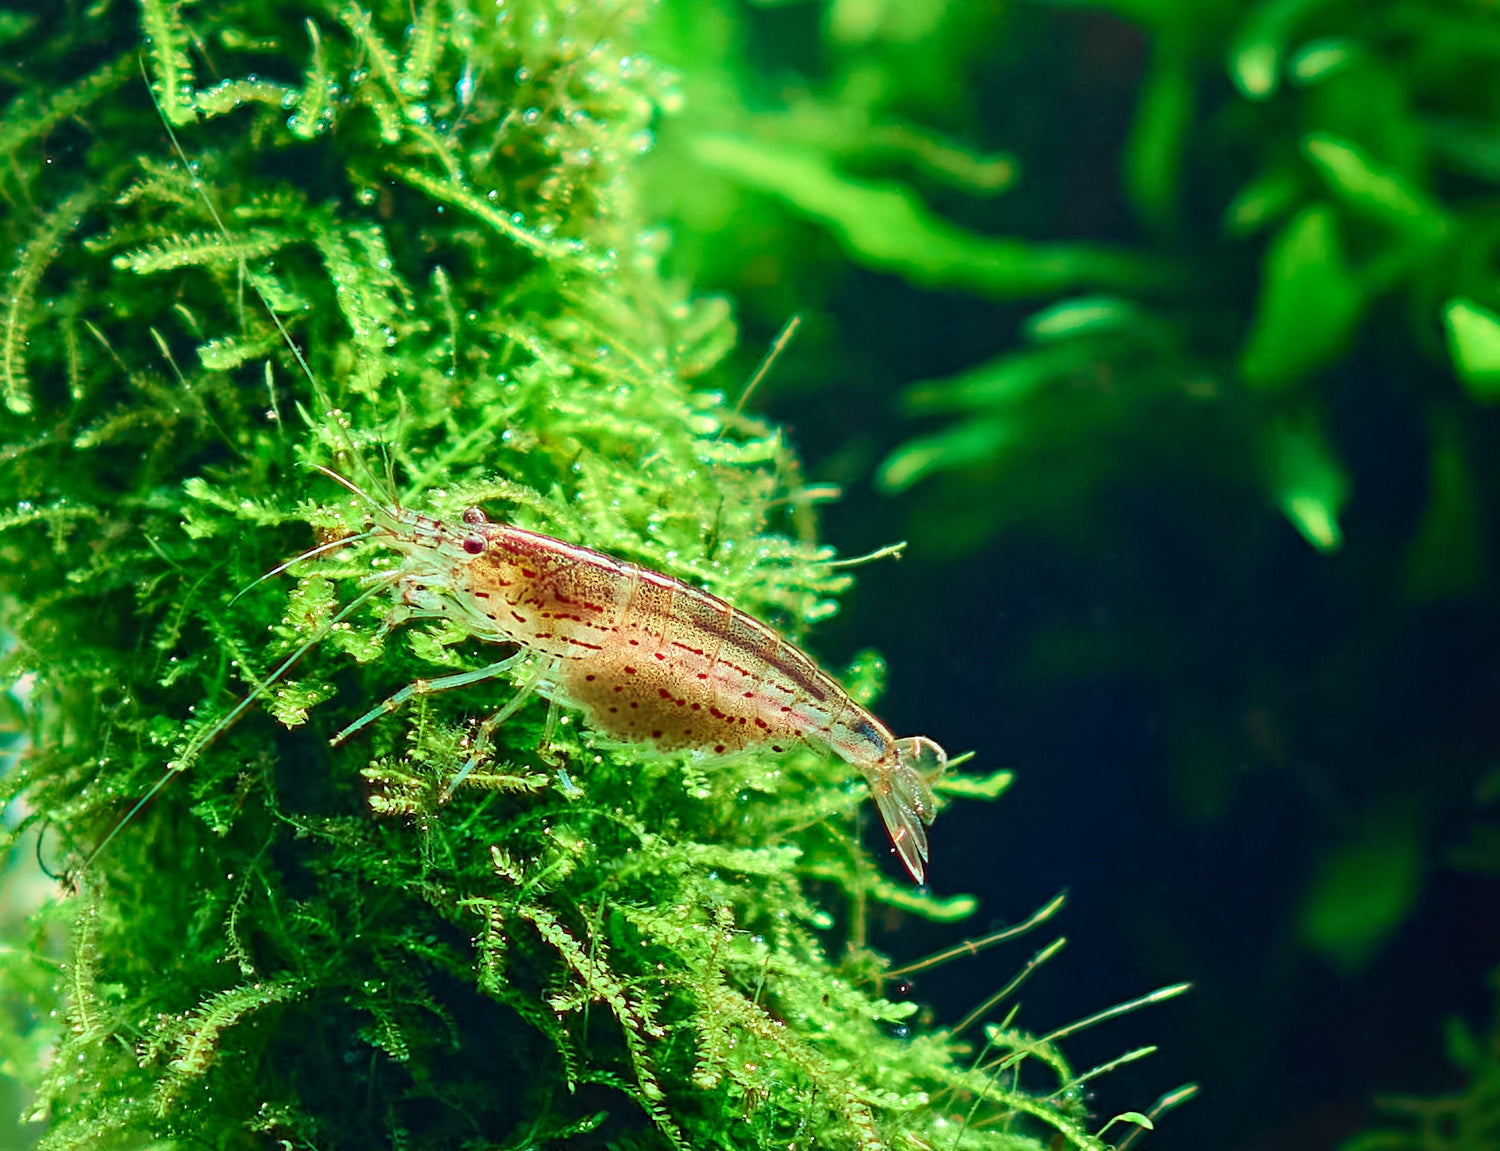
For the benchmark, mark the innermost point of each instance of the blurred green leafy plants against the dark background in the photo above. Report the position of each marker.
(1313, 190)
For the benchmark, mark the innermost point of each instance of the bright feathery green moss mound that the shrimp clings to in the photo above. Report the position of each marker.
(247, 239)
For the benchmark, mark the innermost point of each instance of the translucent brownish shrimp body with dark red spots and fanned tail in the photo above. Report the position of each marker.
(653, 661)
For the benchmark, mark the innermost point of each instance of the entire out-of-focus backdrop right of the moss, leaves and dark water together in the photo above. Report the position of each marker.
(1192, 316)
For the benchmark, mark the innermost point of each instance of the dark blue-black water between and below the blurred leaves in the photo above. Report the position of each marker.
(1177, 610)
